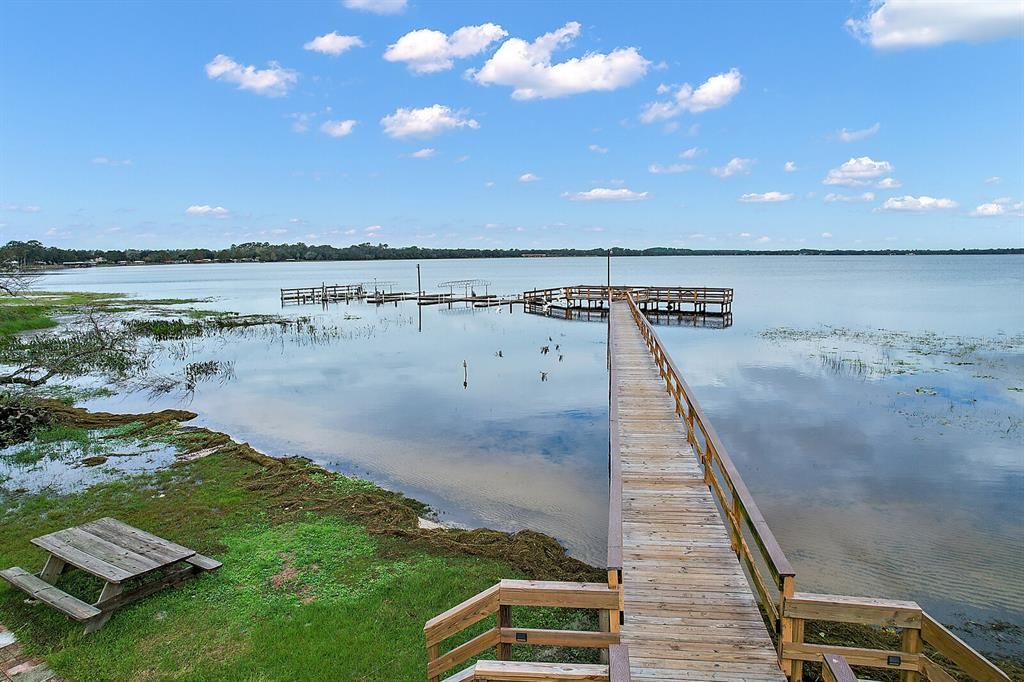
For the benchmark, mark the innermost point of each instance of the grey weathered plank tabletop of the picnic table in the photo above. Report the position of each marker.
(112, 550)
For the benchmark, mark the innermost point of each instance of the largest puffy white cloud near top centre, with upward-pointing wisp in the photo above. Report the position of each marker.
(528, 69)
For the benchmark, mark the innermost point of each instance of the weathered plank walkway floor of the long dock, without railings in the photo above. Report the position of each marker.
(690, 612)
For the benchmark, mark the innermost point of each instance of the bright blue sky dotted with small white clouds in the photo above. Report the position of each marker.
(552, 124)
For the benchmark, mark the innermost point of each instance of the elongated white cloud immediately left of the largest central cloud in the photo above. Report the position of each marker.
(428, 52)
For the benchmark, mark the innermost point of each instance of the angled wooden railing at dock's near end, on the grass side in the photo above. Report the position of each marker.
(498, 601)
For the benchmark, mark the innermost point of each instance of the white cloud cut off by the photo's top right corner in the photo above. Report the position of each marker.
(902, 24)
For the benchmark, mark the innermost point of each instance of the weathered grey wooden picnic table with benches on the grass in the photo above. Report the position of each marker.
(114, 552)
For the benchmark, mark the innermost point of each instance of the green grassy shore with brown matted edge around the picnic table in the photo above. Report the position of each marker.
(325, 578)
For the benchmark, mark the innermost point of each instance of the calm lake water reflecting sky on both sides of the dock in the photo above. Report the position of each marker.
(887, 465)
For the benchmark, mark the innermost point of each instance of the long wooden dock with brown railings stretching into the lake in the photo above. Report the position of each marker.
(696, 578)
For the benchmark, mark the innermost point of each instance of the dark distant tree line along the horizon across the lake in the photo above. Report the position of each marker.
(35, 253)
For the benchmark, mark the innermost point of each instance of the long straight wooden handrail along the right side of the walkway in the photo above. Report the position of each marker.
(740, 508)
